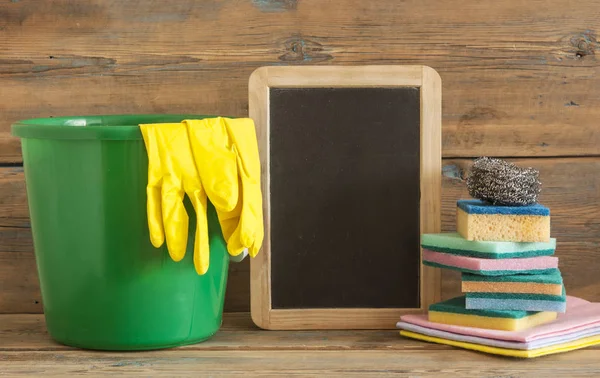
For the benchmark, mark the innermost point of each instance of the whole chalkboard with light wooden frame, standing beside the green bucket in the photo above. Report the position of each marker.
(343, 184)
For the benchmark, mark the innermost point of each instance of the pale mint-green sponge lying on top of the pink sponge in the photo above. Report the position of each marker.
(453, 243)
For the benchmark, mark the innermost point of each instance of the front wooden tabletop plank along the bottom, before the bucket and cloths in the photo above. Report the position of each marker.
(412, 361)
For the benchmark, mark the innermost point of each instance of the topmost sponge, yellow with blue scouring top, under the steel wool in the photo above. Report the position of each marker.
(476, 220)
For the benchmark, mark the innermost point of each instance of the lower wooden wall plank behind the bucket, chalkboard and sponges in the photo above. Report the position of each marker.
(571, 189)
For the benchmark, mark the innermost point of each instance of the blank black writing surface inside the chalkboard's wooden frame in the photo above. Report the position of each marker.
(345, 197)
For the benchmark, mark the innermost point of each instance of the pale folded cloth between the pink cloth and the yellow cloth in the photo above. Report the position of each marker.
(528, 345)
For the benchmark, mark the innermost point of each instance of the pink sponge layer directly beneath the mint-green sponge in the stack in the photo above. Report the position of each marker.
(475, 264)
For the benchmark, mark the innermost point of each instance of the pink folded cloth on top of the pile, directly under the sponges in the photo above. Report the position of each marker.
(580, 315)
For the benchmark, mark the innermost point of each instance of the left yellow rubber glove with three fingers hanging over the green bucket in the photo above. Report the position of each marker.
(172, 174)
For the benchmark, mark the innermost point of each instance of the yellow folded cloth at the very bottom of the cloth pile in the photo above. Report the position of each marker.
(558, 348)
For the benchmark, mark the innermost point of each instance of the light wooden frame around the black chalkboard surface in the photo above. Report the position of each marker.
(429, 82)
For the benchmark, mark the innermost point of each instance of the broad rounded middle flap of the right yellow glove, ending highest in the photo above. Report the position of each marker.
(215, 161)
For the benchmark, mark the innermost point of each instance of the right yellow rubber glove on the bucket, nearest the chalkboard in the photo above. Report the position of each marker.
(226, 154)
